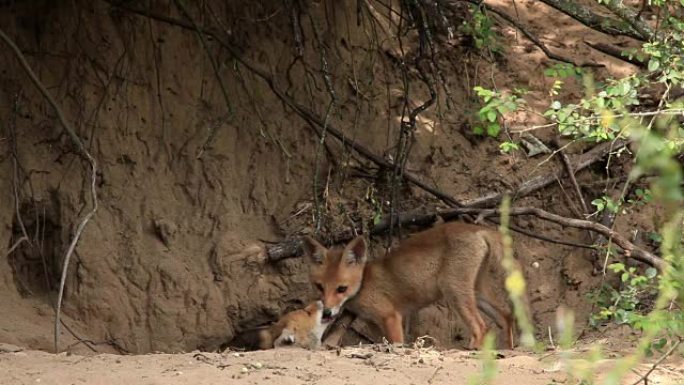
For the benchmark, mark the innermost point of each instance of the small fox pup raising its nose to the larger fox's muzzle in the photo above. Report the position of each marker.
(301, 328)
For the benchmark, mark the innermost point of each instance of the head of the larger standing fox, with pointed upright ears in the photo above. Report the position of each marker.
(336, 274)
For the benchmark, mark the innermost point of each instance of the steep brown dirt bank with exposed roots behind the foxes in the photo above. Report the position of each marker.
(192, 186)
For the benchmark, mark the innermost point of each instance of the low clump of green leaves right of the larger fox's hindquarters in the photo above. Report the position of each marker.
(626, 304)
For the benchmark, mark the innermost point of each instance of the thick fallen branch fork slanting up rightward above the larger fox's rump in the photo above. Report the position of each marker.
(580, 162)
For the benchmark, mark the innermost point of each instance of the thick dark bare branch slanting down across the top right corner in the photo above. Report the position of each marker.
(594, 21)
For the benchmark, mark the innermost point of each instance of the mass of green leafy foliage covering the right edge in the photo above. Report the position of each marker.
(648, 300)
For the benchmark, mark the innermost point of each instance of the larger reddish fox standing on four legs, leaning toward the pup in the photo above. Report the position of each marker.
(454, 261)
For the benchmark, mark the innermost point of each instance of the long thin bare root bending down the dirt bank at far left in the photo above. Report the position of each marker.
(82, 149)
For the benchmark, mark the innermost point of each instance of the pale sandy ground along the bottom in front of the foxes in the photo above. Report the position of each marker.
(359, 365)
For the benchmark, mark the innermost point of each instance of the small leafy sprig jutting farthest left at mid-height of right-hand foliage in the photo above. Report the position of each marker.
(495, 105)
